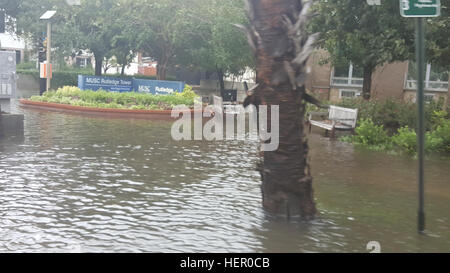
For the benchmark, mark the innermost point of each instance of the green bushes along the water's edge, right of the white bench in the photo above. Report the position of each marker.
(373, 133)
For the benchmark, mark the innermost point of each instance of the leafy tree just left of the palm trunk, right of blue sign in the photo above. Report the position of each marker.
(217, 45)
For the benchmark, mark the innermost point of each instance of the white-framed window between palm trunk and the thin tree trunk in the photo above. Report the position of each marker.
(347, 75)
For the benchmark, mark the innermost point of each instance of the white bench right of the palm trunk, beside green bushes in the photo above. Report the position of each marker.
(339, 118)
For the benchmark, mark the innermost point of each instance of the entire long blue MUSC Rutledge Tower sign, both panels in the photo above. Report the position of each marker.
(128, 85)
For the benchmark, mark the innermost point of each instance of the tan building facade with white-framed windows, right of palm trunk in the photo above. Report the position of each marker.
(395, 81)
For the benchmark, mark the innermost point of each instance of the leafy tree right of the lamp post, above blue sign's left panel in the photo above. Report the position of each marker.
(102, 27)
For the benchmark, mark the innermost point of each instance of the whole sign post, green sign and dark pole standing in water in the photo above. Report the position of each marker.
(420, 9)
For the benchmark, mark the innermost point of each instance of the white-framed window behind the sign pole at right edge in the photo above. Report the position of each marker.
(436, 78)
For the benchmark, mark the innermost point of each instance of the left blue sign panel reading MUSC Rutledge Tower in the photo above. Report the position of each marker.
(106, 83)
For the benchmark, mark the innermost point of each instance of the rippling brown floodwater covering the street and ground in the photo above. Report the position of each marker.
(92, 184)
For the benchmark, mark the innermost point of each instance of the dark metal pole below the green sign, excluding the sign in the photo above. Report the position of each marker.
(420, 54)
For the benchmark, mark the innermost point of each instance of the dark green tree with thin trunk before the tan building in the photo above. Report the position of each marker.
(367, 36)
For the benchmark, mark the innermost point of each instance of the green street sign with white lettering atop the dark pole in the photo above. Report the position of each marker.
(420, 8)
